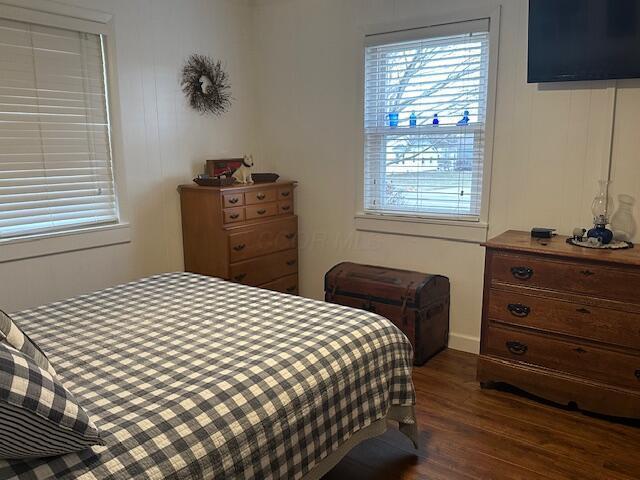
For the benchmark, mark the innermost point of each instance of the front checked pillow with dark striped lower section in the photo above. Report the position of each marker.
(38, 416)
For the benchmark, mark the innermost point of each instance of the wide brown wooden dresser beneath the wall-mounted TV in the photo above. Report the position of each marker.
(563, 322)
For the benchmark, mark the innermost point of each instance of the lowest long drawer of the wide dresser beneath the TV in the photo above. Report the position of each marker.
(571, 357)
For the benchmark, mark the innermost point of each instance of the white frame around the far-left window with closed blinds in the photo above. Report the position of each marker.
(76, 238)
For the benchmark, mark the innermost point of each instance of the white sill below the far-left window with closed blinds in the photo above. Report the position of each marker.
(13, 249)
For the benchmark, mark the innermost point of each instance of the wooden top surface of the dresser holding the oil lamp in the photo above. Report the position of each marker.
(518, 241)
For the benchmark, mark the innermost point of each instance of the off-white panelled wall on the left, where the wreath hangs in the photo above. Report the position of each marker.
(165, 143)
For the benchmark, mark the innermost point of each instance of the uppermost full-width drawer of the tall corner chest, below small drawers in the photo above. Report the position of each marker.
(263, 239)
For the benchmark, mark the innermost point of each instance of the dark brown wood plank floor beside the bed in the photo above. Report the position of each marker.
(469, 433)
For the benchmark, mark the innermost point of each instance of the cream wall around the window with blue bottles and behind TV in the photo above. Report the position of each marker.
(550, 147)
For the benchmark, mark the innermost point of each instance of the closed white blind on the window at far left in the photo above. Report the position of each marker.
(55, 152)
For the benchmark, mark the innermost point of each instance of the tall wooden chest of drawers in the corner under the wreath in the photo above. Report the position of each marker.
(246, 234)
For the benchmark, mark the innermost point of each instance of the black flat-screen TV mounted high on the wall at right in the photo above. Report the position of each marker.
(583, 40)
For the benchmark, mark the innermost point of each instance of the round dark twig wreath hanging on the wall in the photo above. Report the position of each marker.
(206, 85)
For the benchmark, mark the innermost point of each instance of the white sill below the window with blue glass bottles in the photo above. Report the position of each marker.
(455, 230)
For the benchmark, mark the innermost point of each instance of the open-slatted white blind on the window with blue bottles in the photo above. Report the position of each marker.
(415, 167)
